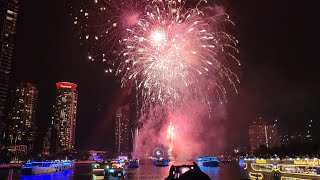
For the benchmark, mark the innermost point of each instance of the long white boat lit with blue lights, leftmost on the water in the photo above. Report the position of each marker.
(33, 168)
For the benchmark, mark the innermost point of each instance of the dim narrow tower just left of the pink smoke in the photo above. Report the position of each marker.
(122, 130)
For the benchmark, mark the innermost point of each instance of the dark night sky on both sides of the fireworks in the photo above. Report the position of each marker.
(279, 52)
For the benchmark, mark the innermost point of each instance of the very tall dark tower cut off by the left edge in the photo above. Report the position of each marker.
(8, 19)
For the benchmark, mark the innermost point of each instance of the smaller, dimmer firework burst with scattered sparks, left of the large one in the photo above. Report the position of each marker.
(102, 24)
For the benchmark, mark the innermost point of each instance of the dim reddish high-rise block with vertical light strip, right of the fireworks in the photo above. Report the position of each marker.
(262, 132)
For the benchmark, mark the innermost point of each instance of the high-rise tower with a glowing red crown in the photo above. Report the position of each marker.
(64, 115)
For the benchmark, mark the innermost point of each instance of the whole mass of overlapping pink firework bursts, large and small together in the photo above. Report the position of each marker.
(171, 53)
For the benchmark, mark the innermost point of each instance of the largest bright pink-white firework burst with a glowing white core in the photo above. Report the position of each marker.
(176, 54)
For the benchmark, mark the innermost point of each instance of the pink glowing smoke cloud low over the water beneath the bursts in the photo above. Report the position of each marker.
(195, 132)
